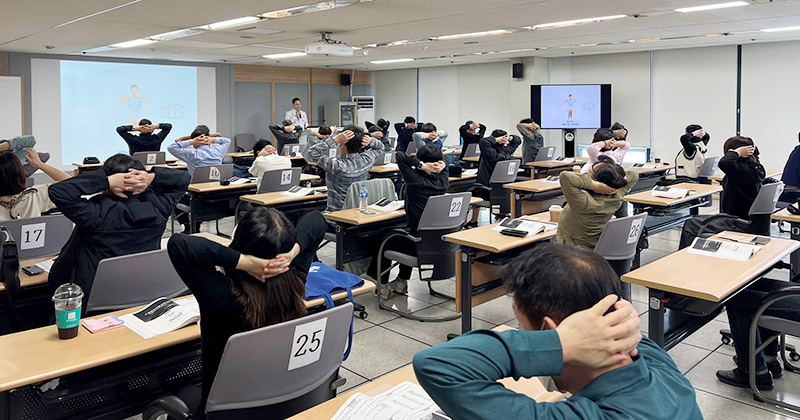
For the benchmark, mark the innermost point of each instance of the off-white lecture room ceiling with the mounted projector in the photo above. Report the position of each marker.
(384, 29)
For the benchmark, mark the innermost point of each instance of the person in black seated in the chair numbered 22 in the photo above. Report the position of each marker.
(425, 175)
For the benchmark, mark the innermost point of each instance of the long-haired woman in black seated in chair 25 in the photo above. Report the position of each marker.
(265, 267)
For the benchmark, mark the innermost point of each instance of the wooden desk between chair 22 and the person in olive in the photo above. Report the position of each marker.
(477, 279)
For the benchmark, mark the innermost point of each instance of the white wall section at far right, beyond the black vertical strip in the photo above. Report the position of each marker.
(770, 82)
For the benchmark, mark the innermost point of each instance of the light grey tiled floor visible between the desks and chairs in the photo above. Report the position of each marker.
(385, 342)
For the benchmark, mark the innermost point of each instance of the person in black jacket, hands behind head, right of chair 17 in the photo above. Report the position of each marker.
(128, 215)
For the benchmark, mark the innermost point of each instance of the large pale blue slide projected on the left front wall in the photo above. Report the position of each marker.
(97, 97)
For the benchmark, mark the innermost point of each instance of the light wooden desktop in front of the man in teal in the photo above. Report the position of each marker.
(531, 387)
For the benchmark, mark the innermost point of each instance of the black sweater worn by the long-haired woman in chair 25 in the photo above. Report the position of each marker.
(196, 259)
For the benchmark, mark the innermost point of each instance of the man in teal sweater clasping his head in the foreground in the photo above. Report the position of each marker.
(561, 296)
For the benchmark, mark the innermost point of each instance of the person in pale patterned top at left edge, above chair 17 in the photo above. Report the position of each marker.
(16, 200)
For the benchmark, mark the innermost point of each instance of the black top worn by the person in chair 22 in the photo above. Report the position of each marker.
(420, 186)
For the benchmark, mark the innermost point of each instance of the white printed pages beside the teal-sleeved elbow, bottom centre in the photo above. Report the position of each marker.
(406, 401)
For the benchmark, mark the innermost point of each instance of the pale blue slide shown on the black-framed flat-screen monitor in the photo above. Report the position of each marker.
(574, 106)
